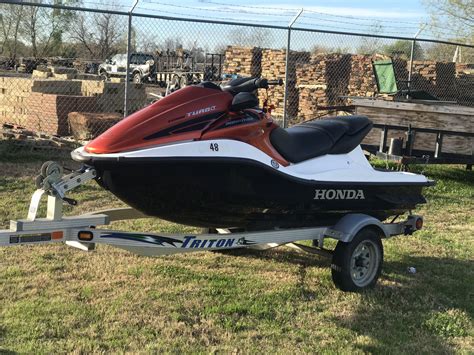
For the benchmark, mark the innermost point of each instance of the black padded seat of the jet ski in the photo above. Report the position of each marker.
(308, 140)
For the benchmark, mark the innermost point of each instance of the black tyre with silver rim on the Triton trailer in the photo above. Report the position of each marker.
(357, 265)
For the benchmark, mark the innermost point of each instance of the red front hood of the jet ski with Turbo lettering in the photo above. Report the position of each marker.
(182, 115)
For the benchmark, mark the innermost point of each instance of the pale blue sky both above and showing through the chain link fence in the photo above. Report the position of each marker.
(401, 18)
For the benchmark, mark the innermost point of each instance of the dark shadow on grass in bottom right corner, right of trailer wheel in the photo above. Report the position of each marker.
(416, 311)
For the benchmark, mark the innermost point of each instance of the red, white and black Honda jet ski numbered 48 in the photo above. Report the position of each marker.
(209, 156)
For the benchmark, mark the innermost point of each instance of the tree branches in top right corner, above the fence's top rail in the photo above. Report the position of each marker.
(455, 15)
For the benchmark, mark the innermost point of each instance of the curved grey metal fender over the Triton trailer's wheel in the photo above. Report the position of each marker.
(349, 225)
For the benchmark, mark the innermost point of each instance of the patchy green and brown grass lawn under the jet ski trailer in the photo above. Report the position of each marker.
(57, 299)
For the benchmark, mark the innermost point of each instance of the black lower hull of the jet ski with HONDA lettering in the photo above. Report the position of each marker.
(236, 192)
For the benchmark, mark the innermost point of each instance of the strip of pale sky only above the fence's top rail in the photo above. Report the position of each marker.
(402, 17)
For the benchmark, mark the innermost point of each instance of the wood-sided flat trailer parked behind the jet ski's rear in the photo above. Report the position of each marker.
(419, 131)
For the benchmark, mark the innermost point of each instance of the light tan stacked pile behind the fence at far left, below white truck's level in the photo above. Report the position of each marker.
(43, 104)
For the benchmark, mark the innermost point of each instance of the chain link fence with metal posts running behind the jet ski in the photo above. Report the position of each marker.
(63, 70)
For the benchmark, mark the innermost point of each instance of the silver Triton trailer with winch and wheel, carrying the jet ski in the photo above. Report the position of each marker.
(356, 260)
